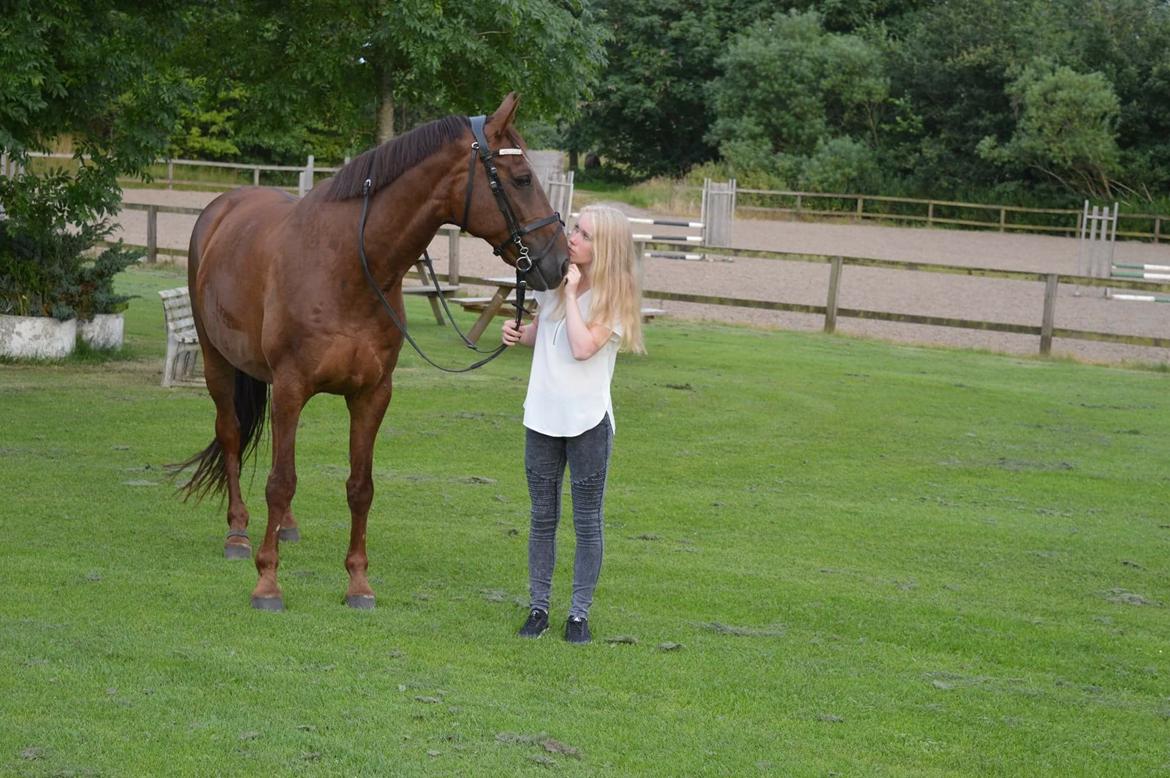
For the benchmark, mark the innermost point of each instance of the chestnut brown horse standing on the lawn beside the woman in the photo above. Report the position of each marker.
(293, 298)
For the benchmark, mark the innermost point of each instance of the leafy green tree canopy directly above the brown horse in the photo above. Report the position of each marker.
(361, 73)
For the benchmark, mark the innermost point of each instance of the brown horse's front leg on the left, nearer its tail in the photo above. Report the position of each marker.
(287, 407)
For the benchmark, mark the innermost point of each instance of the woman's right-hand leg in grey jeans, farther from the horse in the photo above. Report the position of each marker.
(589, 463)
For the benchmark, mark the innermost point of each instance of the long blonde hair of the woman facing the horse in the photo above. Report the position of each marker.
(614, 277)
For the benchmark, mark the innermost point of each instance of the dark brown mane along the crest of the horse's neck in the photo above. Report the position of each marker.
(387, 162)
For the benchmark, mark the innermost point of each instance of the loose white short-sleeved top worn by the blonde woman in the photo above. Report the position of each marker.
(566, 396)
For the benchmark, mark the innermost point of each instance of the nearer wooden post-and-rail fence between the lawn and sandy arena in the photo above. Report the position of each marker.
(831, 311)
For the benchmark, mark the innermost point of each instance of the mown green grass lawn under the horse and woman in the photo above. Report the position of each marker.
(877, 560)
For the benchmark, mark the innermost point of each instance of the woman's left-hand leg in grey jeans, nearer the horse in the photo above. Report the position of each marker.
(545, 465)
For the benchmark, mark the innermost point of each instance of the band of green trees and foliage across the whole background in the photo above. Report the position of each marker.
(1035, 102)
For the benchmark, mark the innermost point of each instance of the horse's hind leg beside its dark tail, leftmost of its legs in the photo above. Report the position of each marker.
(221, 378)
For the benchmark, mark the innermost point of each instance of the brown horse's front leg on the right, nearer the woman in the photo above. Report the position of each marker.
(367, 411)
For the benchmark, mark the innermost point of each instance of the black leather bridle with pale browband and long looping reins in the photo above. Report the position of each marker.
(483, 152)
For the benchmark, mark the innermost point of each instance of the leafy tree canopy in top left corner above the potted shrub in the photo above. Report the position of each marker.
(87, 71)
